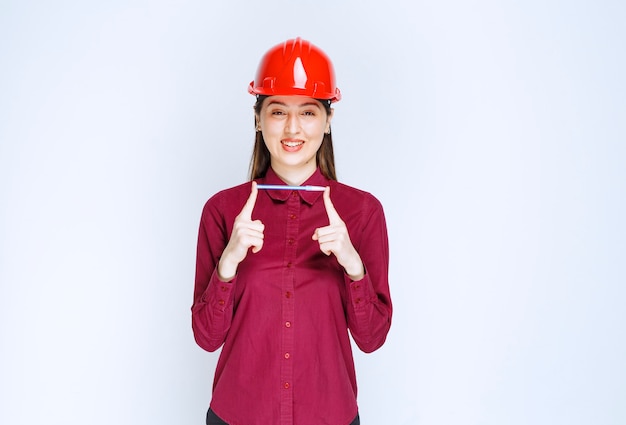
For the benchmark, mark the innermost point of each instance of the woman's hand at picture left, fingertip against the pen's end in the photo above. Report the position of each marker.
(246, 234)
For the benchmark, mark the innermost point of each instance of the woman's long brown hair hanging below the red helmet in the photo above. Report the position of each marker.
(260, 162)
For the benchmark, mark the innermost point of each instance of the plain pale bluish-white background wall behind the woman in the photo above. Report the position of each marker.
(492, 131)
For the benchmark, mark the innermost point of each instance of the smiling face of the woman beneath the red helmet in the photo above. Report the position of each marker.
(293, 129)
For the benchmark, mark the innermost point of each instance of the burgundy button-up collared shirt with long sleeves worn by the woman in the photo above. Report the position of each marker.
(283, 321)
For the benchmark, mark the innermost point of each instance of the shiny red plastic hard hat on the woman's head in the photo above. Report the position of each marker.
(296, 67)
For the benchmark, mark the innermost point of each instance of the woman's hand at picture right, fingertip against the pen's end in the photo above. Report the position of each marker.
(334, 239)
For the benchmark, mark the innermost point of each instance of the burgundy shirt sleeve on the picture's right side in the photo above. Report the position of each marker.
(369, 305)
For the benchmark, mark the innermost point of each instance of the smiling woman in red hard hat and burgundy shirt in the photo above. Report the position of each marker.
(283, 274)
